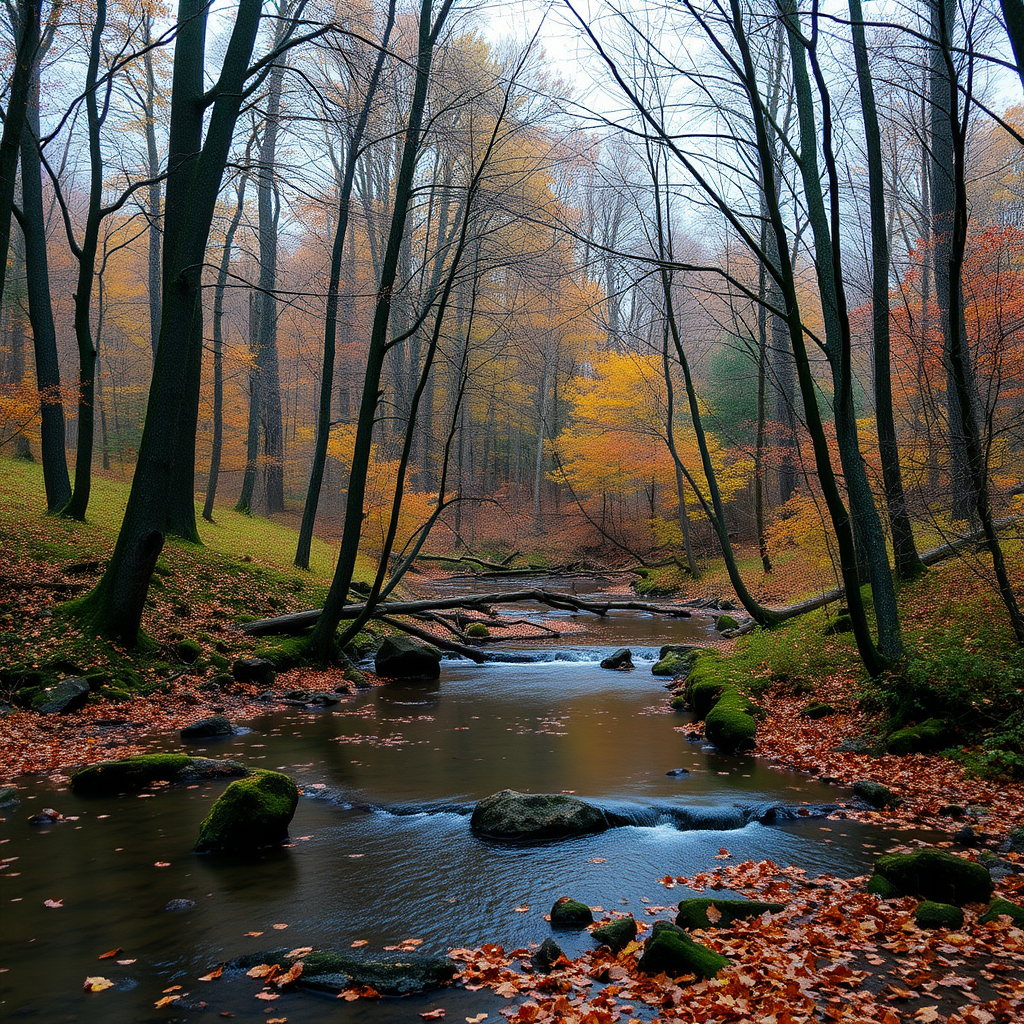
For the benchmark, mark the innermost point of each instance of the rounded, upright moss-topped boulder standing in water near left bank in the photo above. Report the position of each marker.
(251, 814)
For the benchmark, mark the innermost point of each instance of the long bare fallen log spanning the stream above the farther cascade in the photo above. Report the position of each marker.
(298, 622)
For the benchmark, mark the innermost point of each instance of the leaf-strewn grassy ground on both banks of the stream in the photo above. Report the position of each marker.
(836, 954)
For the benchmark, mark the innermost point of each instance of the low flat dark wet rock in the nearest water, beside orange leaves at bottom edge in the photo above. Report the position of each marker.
(400, 974)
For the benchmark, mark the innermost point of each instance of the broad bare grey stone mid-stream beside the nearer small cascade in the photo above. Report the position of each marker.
(533, 817)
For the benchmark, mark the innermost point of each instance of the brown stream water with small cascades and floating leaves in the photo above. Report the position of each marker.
(381, 849)
